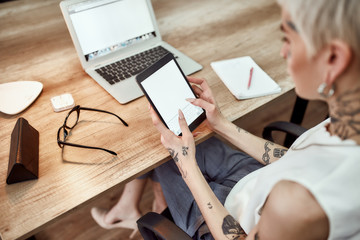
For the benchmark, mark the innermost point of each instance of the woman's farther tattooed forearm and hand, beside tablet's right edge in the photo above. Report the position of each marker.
(260, 149)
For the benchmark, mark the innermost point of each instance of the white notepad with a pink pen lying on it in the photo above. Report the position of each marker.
(235, 74)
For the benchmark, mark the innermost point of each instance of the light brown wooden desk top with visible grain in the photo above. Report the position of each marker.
(35, 45)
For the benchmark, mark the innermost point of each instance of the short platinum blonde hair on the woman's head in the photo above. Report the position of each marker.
(321, 21)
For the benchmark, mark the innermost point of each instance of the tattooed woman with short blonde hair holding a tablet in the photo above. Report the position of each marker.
(310, 190)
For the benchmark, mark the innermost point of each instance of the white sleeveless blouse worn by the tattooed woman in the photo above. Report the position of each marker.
(327, 166)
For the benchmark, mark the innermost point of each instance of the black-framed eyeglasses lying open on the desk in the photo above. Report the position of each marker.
(70, 122)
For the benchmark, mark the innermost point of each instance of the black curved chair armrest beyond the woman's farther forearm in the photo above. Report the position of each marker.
(287, 127)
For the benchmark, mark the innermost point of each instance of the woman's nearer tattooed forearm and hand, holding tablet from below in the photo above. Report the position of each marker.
(182, 150)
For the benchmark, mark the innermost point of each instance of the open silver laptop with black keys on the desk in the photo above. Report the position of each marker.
(116, 40)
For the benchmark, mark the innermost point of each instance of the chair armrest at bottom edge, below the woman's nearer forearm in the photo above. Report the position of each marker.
(153, 224)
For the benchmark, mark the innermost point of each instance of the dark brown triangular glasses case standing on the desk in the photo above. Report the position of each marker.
(24, 153)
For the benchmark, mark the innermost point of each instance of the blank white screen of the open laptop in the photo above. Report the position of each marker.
(106, 26)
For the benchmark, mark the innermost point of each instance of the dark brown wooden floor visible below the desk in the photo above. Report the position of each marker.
(80, 226)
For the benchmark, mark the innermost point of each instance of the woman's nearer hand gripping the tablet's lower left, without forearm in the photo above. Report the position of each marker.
(181, 149)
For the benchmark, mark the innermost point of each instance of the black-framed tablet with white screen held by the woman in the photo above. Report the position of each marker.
(166, 88)
